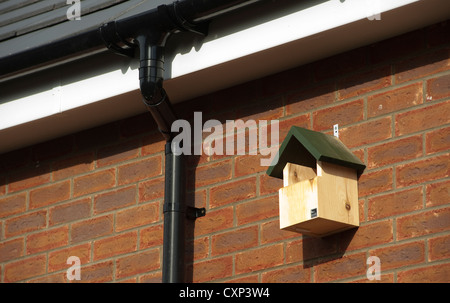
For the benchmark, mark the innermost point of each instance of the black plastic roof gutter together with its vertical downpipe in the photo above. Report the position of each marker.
(148, 32)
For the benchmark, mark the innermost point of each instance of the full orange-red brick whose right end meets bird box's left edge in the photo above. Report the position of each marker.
(257, 210)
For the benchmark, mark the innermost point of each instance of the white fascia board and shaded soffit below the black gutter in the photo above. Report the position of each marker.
(105, 87)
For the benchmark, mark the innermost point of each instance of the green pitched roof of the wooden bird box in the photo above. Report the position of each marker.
(305, 147)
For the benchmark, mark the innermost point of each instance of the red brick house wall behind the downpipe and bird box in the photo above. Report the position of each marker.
(98, 194)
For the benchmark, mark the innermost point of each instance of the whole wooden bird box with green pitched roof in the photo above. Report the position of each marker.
(320, 191)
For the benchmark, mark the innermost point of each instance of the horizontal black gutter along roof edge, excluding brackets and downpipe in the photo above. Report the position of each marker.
(90, 40)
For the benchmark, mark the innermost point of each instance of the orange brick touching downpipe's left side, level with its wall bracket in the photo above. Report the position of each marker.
(137, 216)
